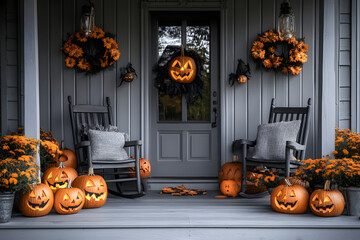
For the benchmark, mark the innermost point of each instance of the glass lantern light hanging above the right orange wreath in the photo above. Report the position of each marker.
(286, 20)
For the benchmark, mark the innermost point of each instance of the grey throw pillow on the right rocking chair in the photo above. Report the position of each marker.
(271, 139)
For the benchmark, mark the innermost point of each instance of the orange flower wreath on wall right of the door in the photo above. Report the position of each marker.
(290, 60)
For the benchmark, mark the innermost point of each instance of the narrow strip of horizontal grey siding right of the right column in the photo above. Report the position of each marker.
(343, 116)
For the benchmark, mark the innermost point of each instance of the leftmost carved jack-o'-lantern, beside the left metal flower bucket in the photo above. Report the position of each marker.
(36, 202)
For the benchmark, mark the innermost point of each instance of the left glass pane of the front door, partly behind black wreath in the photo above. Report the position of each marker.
(169, 106)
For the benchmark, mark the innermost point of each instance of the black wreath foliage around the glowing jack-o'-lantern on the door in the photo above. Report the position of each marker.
(165, 85)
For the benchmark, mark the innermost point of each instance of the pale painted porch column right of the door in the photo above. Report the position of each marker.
(327, 78)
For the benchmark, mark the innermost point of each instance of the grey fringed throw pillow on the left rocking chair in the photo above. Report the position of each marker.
(107, 145)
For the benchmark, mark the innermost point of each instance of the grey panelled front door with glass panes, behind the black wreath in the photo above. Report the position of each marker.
(184, 138)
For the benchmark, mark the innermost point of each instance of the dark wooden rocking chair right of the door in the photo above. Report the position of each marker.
(278, 114)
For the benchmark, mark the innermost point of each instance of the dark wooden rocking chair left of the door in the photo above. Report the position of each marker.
(97, 115)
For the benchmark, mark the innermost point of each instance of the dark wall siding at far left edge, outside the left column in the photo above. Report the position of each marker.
(10, 67)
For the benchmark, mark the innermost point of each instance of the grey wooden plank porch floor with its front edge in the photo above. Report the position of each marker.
(160, 217)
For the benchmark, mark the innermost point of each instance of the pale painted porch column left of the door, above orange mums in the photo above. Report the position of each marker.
(31, 72)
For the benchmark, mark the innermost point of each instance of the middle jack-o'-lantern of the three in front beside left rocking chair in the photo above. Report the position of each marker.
(69, 200)
